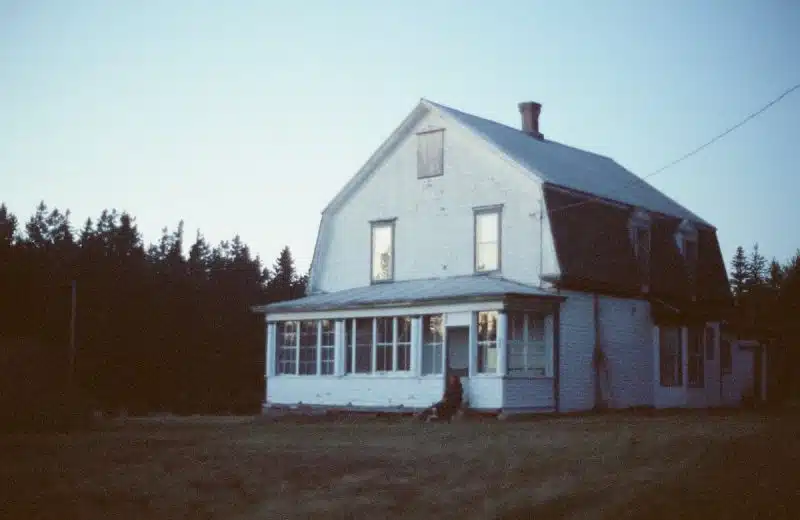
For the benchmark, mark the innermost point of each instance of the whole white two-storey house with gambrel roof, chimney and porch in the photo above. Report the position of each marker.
(549, 278)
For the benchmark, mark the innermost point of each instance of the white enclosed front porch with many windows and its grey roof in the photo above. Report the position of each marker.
(391, 346)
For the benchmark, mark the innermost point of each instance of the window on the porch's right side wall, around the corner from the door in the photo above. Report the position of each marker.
(527, 350)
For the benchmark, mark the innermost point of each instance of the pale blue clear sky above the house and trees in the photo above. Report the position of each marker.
(248, 116)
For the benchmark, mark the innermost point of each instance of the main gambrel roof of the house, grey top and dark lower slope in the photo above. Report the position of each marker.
(592, 241)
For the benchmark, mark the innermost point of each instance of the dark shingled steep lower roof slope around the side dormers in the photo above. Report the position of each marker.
(595, 252)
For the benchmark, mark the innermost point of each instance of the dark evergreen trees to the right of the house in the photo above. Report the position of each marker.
(766, 307)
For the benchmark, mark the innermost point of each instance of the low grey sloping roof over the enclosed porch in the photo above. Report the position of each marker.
(410, 292)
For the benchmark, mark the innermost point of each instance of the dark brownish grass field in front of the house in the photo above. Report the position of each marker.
(677, 466)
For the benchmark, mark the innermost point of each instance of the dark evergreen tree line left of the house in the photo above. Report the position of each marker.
(154, 329)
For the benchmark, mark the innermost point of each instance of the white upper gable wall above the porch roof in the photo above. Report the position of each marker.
(434, 227)
